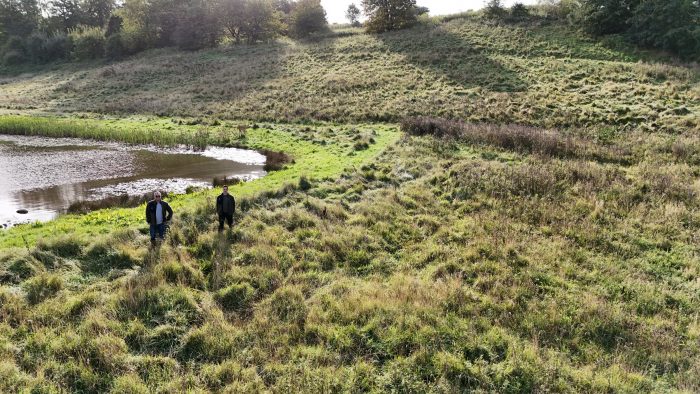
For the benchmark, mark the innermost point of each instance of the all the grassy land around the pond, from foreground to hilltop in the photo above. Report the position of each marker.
(453, 257)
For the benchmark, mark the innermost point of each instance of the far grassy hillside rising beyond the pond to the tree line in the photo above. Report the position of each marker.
(545, 76)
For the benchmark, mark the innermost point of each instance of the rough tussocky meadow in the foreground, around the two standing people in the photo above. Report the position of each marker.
(465, 257)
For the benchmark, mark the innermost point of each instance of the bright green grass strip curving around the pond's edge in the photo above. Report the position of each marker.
(318, 152)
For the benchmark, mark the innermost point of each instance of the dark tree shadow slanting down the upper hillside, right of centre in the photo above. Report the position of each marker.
(448, 55)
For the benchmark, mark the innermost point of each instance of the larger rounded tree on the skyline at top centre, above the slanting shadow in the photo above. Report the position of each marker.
(387, 15)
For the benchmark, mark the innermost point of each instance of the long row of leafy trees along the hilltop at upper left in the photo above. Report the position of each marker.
(39, 32)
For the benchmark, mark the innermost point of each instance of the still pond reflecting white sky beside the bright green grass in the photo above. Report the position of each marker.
(45, 175)
